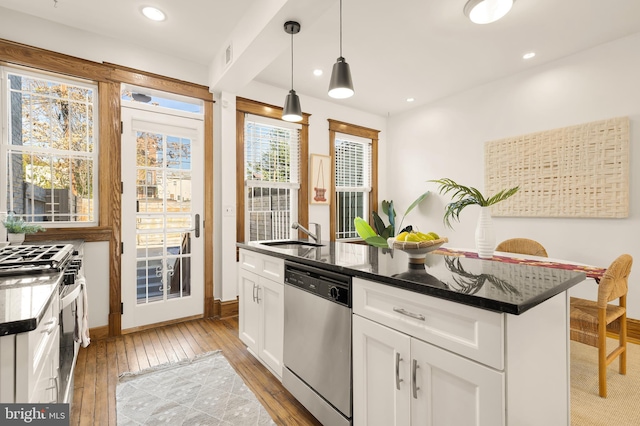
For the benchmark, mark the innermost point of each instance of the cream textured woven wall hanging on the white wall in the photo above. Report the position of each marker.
(577, 171)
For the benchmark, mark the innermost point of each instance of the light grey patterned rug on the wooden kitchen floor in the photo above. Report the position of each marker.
(205, 390)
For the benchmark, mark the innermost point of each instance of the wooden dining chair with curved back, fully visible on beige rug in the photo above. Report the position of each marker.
(589, 319)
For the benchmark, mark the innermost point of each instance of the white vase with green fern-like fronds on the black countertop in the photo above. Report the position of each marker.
(464, 196)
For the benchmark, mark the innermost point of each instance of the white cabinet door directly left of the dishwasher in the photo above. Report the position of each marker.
(270, 299)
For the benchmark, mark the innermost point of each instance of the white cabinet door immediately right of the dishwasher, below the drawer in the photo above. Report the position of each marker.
(381, 381)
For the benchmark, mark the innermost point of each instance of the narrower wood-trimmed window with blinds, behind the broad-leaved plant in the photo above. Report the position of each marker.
(354, 150)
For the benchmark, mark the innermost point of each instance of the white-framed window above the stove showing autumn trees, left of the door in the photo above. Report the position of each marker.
(50, 148)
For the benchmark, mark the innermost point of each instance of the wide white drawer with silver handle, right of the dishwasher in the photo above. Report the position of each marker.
(471, 332)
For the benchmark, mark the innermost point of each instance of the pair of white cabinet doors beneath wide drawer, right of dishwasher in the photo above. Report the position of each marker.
(400, 380)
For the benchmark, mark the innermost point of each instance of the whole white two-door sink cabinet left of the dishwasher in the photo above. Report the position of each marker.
(261, 311)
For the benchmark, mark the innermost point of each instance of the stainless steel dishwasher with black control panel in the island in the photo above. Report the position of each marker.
(317, 341)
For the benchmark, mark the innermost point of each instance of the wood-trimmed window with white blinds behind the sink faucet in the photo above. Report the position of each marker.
(270, 154)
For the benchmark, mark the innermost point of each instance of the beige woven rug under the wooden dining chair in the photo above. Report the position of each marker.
(622, 404)
